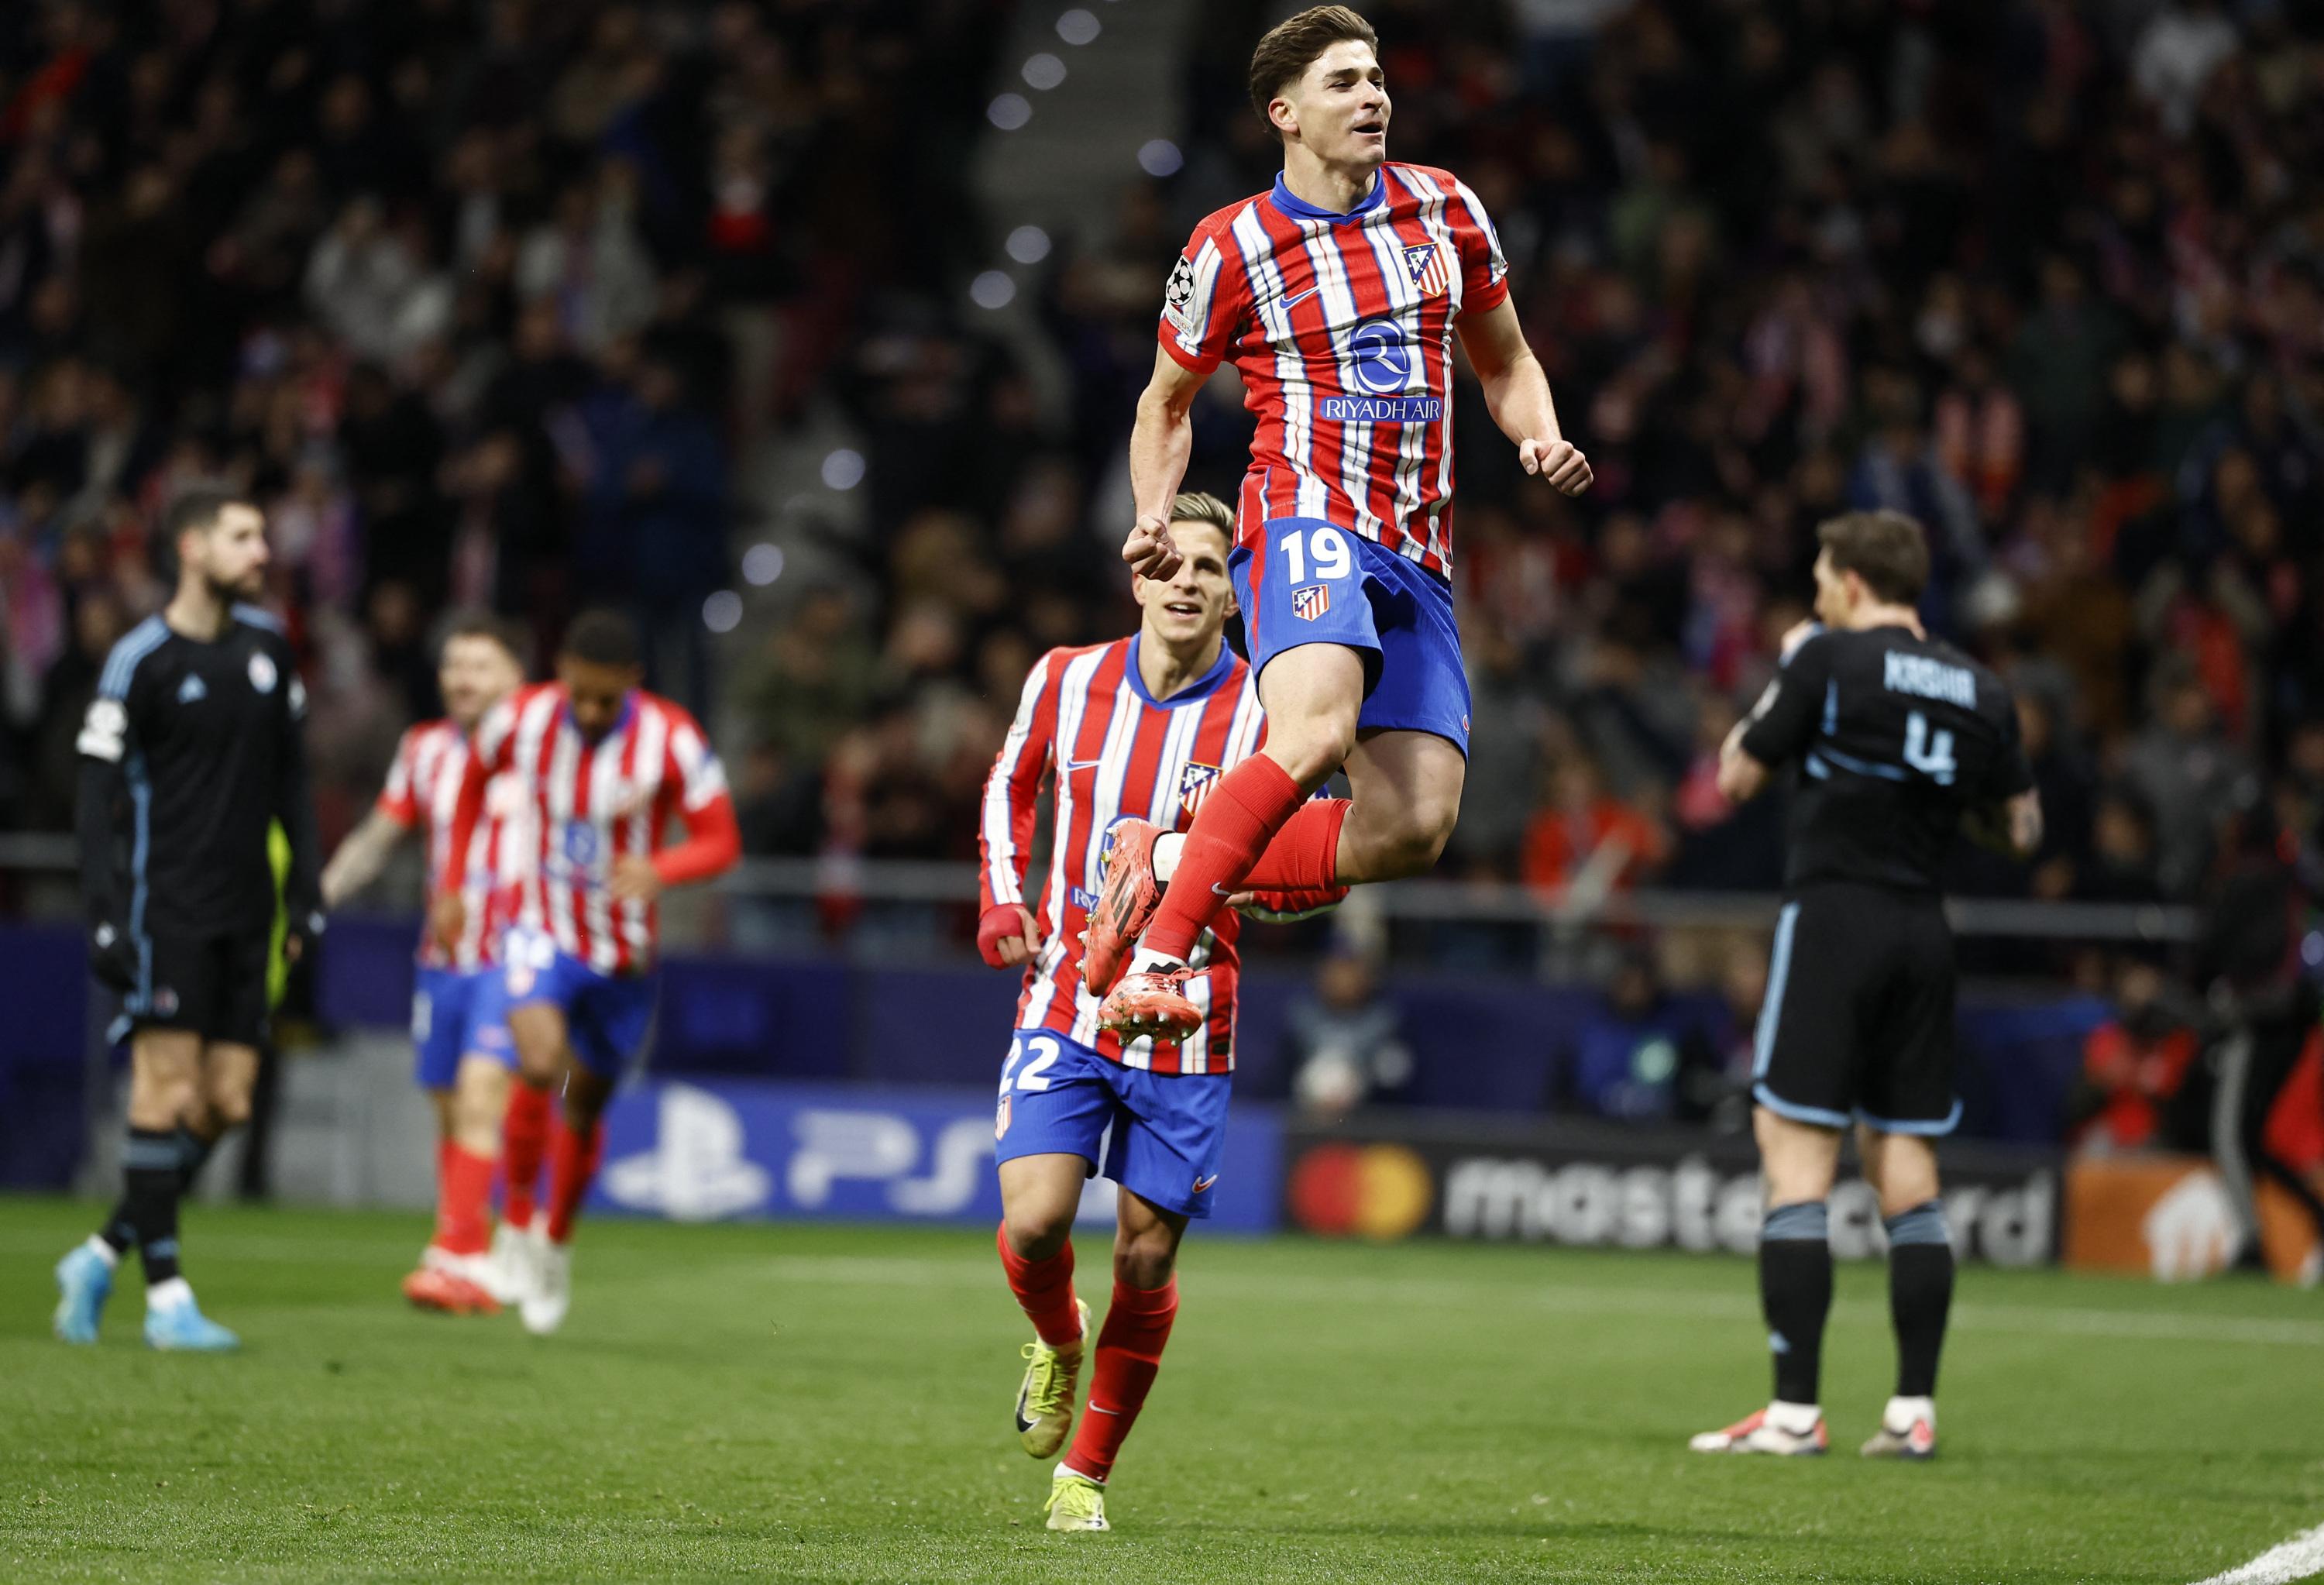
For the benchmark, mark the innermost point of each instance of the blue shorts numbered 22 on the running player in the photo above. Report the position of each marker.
(1168, 1131)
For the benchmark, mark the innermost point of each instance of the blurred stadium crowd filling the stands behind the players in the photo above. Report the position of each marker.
(492, 301)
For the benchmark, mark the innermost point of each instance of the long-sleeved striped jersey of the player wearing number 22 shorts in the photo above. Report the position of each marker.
(1114, 752)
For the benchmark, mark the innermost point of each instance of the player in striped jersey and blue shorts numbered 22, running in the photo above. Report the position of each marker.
(1131, 731)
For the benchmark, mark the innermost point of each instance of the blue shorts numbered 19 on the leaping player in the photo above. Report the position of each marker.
(1310, 582)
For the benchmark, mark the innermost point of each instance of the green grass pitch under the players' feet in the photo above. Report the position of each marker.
(833, 1405)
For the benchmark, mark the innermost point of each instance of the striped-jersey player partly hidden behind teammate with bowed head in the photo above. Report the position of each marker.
(459, 1024)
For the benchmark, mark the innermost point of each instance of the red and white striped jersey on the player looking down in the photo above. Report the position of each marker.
(589, 805)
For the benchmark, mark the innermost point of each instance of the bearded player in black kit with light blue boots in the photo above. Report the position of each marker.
(192, 752)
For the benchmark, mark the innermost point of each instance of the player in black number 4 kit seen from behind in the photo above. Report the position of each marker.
(1900, 743)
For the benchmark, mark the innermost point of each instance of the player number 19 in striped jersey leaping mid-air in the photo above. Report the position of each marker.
(1335, 296)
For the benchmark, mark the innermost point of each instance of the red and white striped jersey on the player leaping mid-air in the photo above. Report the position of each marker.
(1342, 329)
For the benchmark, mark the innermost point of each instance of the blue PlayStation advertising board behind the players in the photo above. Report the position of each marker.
(736, 1149)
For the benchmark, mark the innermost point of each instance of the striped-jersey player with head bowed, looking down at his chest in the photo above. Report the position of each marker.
(603, 768)
